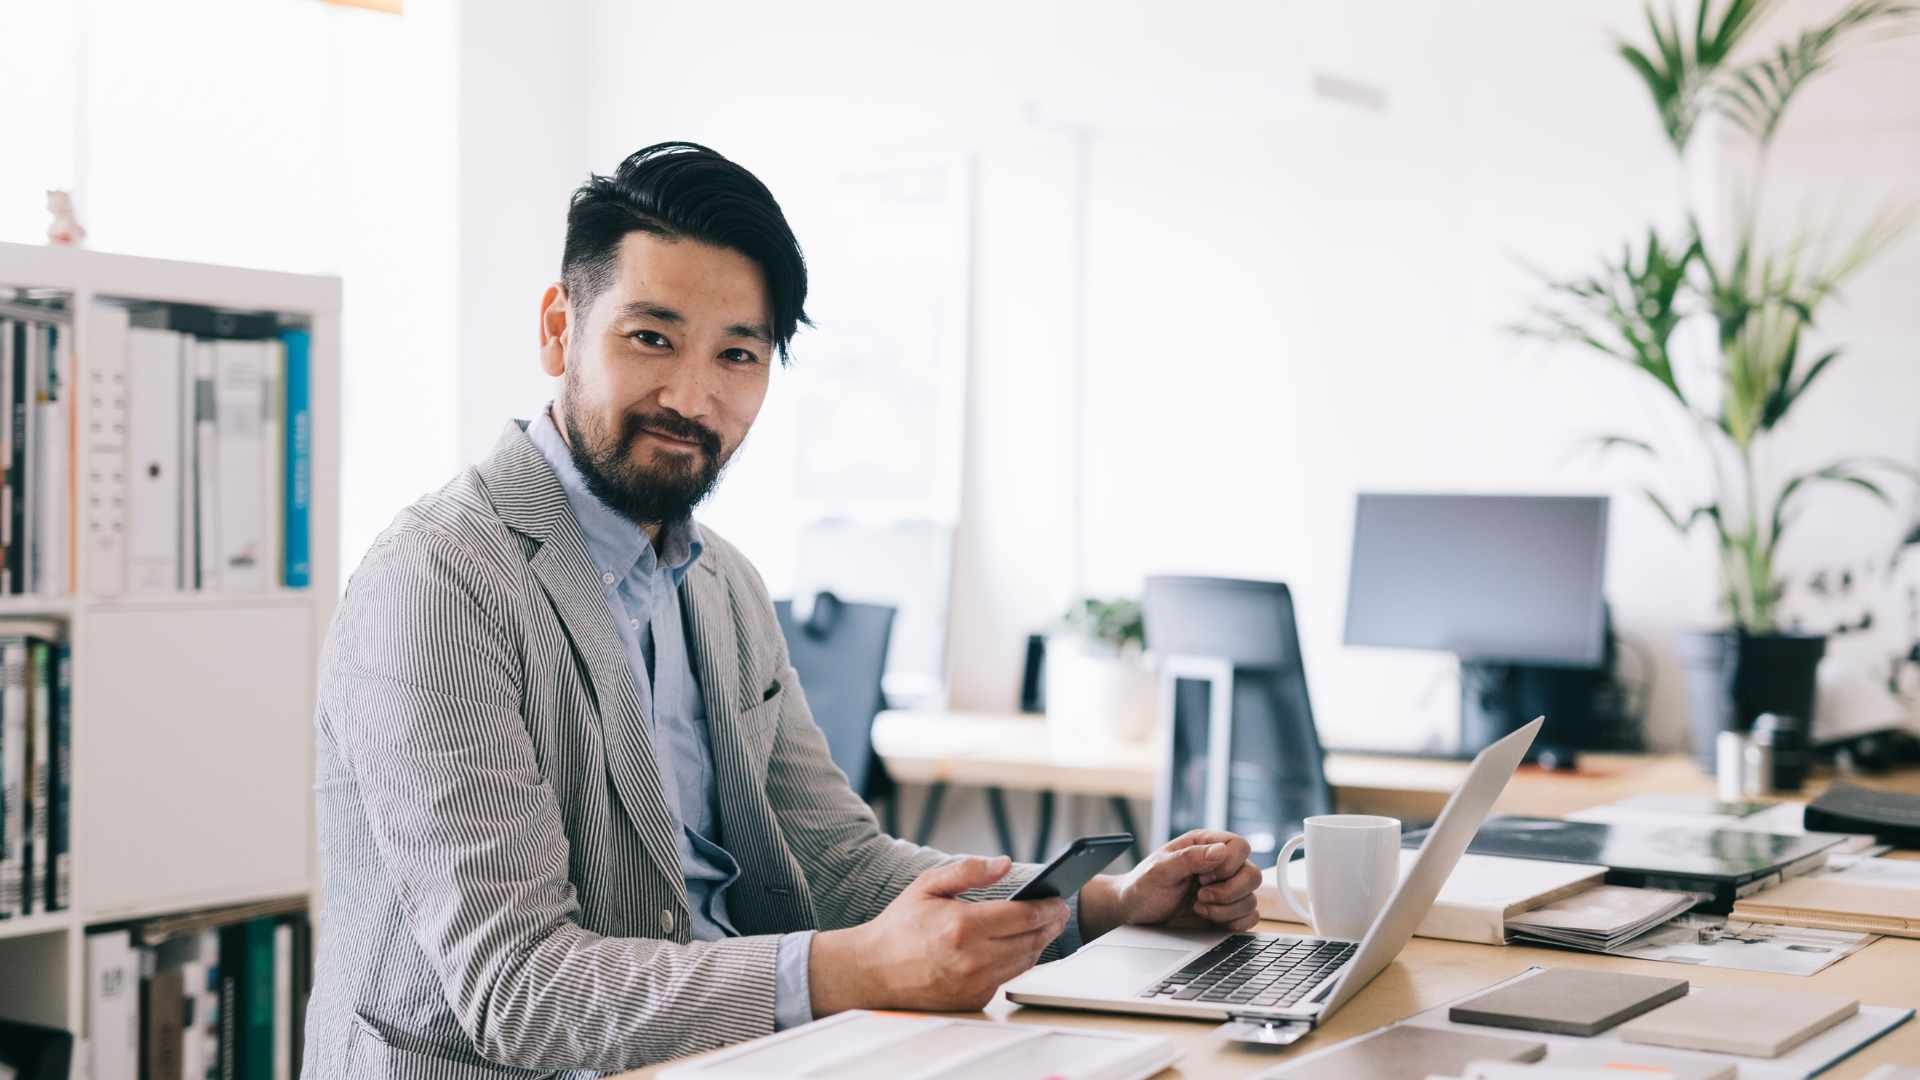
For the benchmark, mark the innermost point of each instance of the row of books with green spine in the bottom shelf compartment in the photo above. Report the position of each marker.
(203, 996)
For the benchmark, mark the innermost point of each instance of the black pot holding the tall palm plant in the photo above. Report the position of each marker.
(1735, 677)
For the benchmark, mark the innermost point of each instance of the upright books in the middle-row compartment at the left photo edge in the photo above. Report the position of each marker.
(36, 754)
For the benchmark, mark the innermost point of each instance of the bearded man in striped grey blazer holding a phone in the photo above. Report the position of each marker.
(575, 816)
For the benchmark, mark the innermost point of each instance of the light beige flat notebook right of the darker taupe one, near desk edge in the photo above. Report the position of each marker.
(1740, 1019)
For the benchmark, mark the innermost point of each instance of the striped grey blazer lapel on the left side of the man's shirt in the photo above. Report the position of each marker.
(529, 499)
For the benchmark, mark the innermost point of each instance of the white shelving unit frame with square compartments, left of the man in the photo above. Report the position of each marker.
(193, 756)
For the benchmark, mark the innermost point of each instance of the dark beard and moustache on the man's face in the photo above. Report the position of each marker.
(660, 493)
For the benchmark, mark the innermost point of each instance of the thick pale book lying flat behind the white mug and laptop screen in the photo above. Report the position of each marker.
(1477, 898)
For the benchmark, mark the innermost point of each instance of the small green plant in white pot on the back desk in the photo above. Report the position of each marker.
(1099, 681)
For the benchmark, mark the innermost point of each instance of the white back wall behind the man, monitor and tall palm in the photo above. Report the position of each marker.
(1291, 301)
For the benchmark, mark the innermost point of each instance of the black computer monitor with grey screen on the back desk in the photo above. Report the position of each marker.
(1510, 585)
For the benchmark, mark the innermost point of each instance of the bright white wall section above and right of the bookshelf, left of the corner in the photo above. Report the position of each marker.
(281, 135)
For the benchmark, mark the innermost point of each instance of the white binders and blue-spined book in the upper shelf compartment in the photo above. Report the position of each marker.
(216, 418)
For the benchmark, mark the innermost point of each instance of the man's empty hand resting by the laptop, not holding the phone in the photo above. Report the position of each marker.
(1197, 881)
